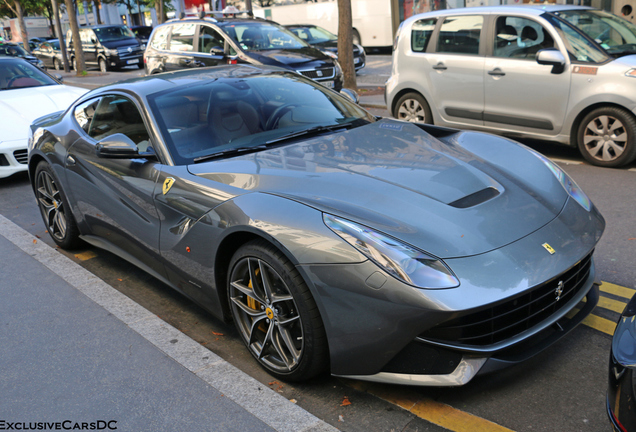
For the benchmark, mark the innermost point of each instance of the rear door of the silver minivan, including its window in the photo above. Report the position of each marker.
(455, 70)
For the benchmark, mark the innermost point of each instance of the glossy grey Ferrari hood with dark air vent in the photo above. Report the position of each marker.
(398, 179)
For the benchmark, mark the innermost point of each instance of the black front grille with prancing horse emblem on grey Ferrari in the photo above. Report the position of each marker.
(508, 319)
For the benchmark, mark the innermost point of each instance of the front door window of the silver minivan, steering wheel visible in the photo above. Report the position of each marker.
(522, 38)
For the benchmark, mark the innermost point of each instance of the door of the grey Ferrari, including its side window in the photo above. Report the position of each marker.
(115, 195)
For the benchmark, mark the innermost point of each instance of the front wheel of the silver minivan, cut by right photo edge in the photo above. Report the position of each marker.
(607, 137)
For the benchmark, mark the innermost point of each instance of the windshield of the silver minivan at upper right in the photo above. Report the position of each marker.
(616, 35)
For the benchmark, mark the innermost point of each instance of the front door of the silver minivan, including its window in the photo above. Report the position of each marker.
(520, 94)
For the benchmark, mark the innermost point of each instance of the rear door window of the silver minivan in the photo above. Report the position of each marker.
(460, 35)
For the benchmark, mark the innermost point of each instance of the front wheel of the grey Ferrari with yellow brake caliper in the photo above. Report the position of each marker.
(283, 331)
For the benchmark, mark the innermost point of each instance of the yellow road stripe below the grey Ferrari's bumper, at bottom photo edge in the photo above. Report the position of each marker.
(425, 408)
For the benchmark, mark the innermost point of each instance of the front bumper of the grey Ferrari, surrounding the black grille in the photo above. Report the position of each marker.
(377, 326)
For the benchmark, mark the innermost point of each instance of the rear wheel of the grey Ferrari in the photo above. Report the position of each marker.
(54, 208)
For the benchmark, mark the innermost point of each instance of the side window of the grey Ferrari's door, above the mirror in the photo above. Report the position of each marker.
(116, 114)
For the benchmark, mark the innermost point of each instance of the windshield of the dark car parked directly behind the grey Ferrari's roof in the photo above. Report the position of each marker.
(263, 36)
